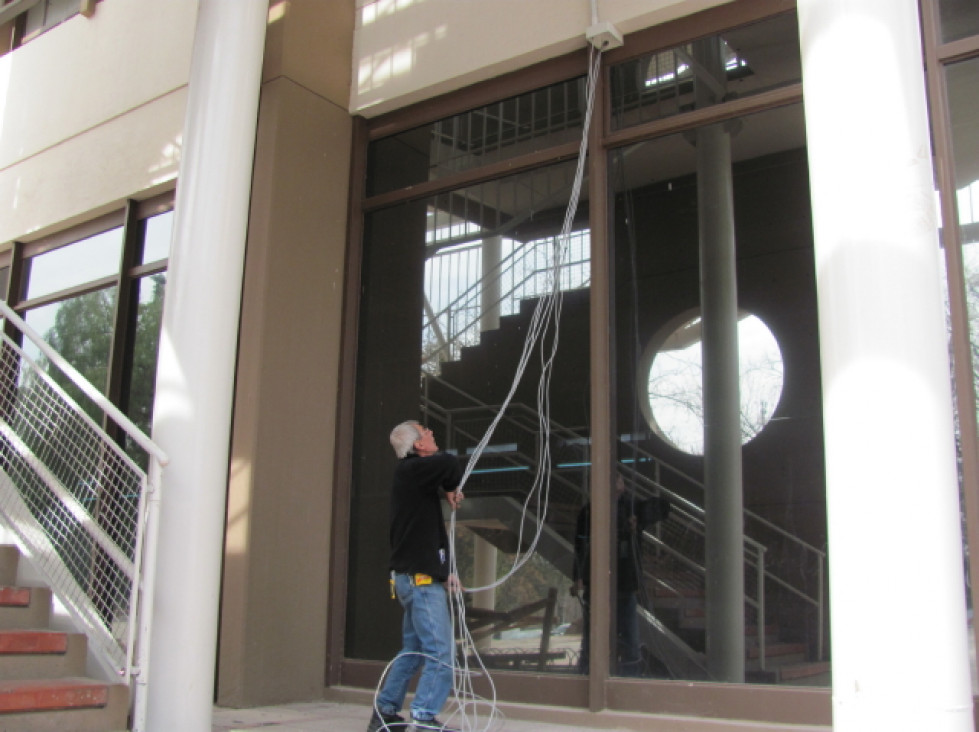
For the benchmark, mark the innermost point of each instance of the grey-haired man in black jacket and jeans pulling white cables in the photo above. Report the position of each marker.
(419, 575)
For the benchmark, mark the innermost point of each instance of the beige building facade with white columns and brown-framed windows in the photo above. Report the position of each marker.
(746, 301)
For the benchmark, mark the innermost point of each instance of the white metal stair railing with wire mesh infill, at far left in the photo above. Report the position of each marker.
(83, 509)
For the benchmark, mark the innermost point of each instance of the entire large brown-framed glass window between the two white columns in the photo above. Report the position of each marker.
(451, 275)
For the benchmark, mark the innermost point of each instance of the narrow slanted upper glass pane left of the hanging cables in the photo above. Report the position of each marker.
(498, 131)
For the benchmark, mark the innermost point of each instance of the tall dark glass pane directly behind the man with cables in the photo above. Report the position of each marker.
(450, 286)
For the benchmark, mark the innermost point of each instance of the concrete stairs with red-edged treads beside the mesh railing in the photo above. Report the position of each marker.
(43, 682)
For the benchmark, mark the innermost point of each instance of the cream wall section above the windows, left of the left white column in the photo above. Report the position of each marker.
(91, 113)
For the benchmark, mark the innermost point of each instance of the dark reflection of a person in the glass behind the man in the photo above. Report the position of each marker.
(632, 518)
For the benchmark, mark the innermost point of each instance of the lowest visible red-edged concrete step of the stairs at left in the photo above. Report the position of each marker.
(63, 705)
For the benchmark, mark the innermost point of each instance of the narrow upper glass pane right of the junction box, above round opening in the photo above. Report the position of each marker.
(738, 63)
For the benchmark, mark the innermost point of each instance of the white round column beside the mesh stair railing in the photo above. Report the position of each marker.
(192, 414)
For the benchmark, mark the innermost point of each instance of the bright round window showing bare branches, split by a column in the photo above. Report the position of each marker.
(673, 381)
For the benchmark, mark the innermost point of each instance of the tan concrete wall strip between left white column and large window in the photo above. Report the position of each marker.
(274, 606)
